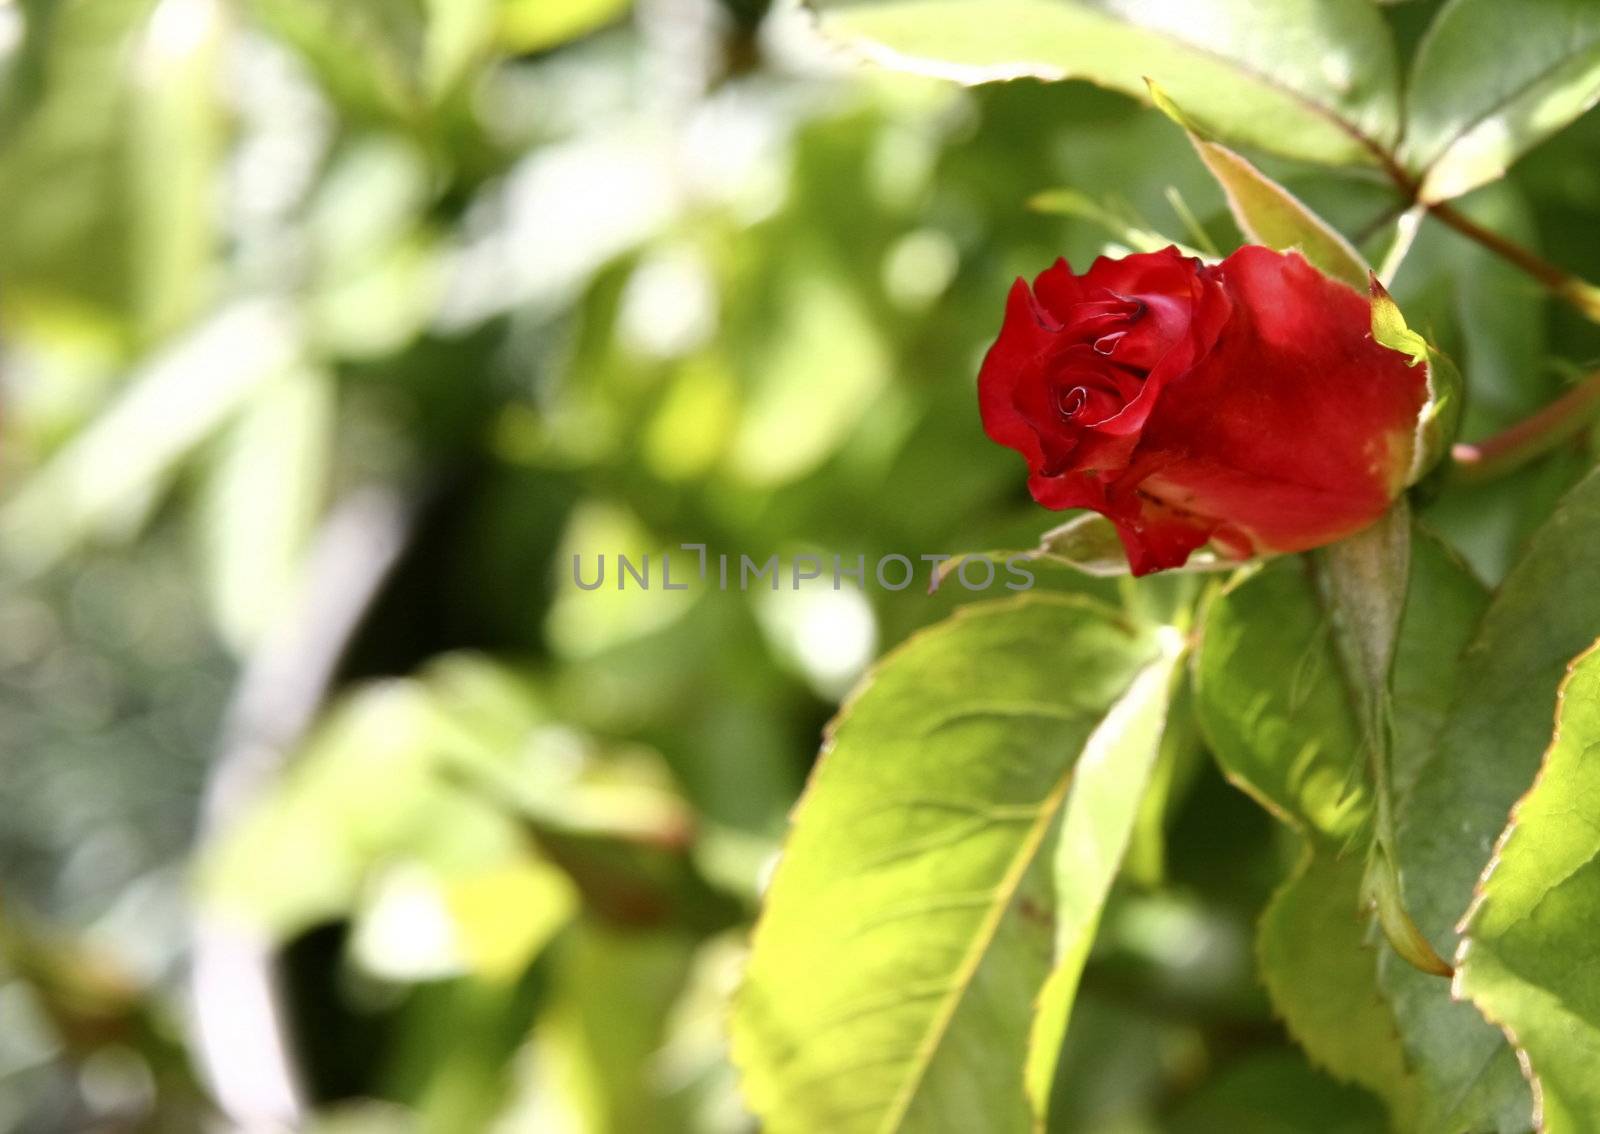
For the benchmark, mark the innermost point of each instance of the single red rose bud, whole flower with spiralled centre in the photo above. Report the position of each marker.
(1242, 404)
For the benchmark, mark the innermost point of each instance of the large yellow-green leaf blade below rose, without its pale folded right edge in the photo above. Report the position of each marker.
(908, 930)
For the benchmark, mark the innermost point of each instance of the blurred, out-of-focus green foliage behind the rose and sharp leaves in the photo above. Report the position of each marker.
(334, 332)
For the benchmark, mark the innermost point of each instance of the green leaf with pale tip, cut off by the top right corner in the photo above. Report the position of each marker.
(1490, 82)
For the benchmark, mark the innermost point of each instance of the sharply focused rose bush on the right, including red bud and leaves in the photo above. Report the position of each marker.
(1017, 812)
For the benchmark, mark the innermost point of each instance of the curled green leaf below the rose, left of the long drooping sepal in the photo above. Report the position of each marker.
(1273, 706)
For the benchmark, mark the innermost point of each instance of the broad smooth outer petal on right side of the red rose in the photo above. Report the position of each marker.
(1297, 428)
